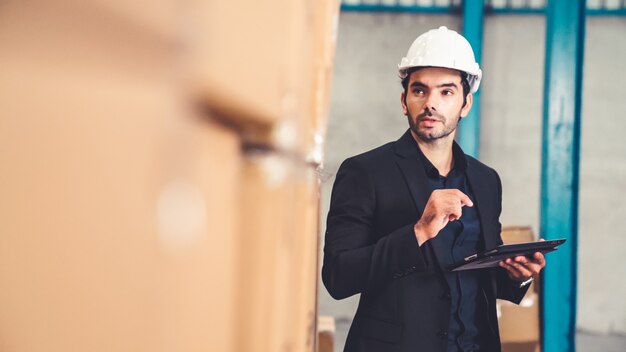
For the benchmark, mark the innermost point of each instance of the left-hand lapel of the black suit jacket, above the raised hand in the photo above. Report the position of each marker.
(412, 168)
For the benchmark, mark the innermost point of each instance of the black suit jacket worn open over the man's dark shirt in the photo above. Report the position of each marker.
(370, 248)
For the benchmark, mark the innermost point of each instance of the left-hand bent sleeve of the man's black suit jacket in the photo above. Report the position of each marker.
(355, 258)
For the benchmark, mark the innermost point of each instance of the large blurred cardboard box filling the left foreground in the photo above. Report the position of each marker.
(118, 212)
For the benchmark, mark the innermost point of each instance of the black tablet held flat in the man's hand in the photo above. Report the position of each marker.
(492, 257)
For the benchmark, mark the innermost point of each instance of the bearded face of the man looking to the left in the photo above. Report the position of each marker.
(434, 103)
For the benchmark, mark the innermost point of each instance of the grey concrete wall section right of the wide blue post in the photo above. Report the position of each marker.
(602, 243)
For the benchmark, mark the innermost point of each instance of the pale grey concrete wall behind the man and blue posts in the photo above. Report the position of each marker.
(365, 112)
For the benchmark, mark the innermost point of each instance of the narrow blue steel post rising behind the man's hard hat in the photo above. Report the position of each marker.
(469, 131)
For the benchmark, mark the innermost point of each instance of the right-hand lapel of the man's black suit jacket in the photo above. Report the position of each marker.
(485, 208)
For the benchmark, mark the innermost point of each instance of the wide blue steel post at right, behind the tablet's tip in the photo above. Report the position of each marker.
(565, 28)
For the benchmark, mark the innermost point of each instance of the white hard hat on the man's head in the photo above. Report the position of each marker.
(443, 47)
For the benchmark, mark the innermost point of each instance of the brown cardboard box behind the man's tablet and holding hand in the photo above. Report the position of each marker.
(519, 324)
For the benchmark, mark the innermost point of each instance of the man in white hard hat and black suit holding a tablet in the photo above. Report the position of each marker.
(402, 213)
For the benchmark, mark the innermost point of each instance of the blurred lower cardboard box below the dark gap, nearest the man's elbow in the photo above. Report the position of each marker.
(276, 308)
